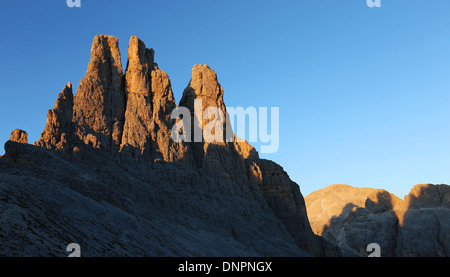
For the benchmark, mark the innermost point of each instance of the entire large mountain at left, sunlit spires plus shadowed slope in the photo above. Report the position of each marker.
(106, 174)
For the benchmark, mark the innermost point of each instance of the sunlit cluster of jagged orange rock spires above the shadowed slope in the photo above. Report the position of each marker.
(131, 113)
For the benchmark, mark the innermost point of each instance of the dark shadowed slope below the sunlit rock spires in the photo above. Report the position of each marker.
(112, 211)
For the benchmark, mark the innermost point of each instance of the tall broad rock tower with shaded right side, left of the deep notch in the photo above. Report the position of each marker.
(99, 104)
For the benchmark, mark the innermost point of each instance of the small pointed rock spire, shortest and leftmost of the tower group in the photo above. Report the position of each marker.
(59, 128)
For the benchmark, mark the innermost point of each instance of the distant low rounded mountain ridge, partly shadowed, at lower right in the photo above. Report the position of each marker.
(352, 218)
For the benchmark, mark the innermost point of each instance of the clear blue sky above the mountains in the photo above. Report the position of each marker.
(363, 92)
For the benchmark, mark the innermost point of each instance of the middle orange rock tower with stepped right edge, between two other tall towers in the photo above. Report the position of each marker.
(148, 123)
